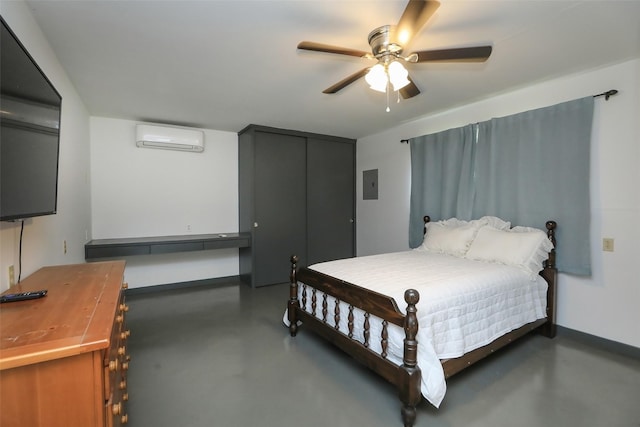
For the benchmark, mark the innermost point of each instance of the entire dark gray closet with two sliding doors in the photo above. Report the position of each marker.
(296, 197)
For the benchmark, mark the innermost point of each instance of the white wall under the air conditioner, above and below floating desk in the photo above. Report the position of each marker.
(142, 192)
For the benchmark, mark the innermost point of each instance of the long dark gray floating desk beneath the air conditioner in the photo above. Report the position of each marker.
(110, 248)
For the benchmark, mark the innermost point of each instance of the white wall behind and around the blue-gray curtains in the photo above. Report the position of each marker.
(605, 304)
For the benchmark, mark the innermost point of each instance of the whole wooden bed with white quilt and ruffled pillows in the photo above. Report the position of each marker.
(473, 287)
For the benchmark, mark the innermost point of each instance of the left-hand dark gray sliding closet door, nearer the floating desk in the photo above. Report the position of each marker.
(280, 206)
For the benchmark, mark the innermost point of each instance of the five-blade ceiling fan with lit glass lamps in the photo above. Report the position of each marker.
(387, 46)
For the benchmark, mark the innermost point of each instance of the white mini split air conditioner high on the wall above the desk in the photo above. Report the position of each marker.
(169, 138)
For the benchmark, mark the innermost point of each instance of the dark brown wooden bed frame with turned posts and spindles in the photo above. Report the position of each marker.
(405, 377)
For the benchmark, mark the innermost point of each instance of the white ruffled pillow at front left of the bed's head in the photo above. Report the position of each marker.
(444, 237)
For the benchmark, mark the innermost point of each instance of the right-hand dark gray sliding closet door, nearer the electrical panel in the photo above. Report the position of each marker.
(330, 200)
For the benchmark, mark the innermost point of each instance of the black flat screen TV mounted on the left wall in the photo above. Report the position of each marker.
(30, 110)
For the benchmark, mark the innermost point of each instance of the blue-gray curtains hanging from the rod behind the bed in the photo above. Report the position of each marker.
(526, 168)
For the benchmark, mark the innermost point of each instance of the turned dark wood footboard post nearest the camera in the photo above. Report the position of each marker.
(410, 373)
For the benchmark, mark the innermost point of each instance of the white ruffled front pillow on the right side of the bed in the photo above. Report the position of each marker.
(522, 247)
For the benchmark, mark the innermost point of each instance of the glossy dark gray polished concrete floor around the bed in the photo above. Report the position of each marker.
(220, 357)
